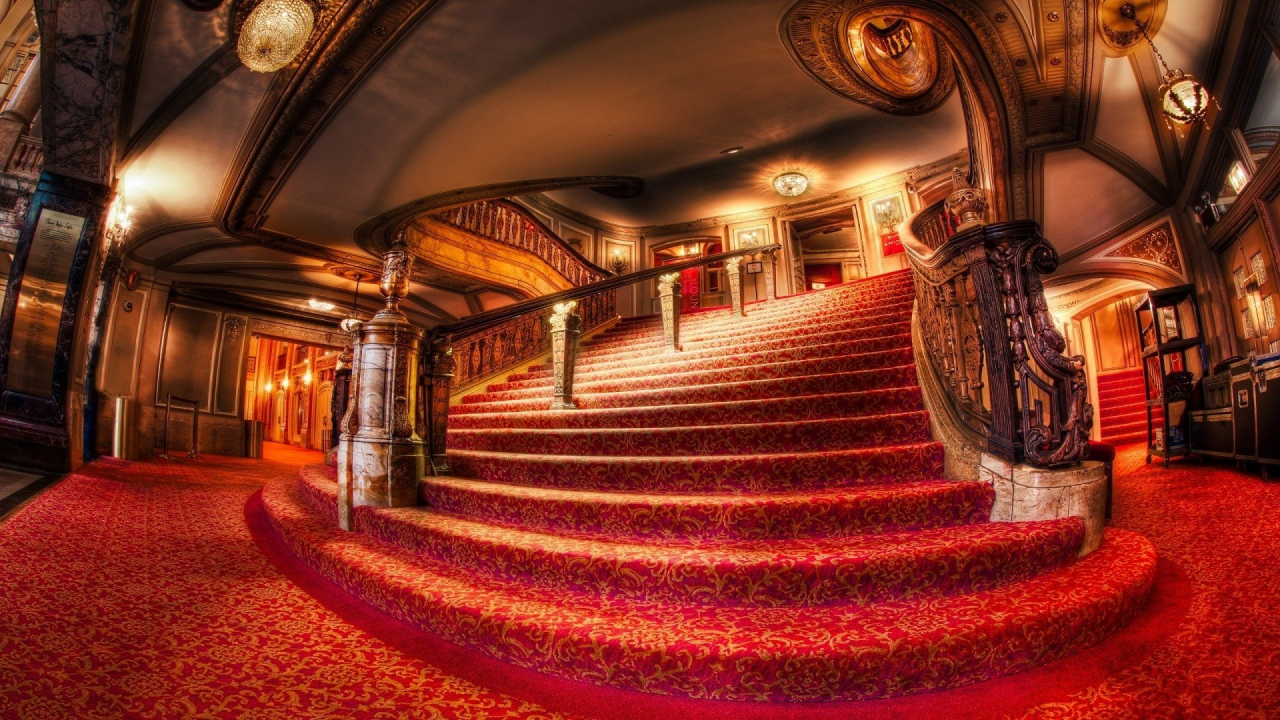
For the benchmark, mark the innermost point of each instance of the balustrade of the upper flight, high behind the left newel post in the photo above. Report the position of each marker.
(509, 224)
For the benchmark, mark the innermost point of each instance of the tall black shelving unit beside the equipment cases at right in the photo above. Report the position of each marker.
(1173, 358)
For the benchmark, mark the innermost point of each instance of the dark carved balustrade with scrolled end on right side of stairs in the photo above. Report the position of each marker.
(991, 340)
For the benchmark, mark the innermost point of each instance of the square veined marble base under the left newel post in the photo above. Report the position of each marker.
(383, 475)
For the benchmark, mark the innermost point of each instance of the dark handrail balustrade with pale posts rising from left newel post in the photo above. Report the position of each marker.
(488, 344)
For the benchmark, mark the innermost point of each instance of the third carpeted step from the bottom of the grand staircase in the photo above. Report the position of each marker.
(715, 517)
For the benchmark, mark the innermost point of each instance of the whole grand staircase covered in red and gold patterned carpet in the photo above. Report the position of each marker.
(760, 517)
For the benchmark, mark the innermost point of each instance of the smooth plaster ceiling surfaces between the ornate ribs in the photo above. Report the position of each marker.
(488, 92)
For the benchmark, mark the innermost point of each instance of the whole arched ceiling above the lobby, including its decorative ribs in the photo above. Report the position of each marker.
(493, 92)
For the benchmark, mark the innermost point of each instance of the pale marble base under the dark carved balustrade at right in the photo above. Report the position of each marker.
(1035, 494)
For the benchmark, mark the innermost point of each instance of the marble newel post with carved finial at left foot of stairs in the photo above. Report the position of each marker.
(386, 450)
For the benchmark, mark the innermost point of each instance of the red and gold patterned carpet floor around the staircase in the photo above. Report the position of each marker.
(158, 590)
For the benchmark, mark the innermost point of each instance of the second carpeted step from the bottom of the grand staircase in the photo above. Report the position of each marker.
(767, 573)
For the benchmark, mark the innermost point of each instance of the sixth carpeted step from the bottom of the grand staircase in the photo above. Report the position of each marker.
(764, 411)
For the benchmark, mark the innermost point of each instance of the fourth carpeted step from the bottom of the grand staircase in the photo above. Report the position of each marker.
(743, 473)
